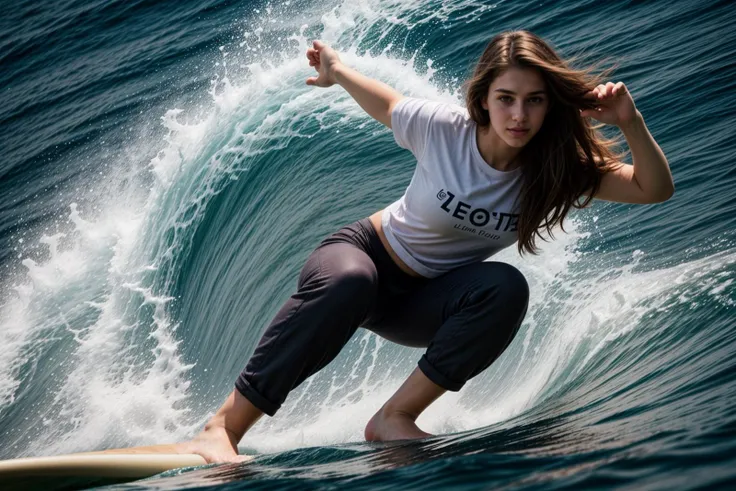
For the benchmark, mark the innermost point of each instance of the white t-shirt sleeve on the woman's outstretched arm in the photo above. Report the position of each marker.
(410, 122)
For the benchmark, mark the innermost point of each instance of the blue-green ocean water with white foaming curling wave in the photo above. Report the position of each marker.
(165, 172)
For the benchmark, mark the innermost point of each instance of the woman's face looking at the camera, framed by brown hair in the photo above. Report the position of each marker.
(517, 101)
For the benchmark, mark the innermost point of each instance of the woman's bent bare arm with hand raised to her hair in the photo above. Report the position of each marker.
(649, 179)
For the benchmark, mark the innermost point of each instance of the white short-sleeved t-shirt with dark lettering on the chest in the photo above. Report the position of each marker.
(457, 209)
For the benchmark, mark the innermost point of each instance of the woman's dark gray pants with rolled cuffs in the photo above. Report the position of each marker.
(465, 318)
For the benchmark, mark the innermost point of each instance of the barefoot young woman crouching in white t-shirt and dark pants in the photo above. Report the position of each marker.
(506, 169)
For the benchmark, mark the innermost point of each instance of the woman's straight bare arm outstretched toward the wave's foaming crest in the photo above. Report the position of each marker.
(376, 98)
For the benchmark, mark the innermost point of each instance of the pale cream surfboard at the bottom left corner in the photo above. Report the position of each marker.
(81, 470)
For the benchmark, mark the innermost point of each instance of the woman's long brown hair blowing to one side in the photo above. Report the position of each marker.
(568, 156)
